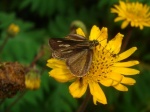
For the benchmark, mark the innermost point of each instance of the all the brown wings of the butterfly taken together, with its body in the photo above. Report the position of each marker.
(75, 49)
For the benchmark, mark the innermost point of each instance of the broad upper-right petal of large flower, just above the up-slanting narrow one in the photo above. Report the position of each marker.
(115, 44)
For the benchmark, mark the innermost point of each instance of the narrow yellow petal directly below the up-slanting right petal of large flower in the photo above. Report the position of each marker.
(126, 64)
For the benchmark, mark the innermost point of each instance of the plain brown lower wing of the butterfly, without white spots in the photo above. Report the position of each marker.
(79, 63)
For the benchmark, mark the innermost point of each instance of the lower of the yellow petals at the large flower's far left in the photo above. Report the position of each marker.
(61, 75)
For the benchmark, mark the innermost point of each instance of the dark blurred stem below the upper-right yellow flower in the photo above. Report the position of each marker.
(127, 38)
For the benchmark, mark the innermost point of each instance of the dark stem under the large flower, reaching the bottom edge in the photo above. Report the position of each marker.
(85, 102)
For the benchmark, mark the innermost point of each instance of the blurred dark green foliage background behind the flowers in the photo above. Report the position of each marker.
(41, 19)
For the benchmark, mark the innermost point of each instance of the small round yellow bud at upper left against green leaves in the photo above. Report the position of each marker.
(13, 29)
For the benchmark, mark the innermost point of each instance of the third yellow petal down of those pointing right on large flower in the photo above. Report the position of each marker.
(125, 71)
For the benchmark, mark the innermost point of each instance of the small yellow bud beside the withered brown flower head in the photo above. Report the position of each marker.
(32, 80)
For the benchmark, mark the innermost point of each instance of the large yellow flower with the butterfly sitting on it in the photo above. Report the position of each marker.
(106, 68)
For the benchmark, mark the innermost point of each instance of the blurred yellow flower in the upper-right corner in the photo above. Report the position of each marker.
(137, 14)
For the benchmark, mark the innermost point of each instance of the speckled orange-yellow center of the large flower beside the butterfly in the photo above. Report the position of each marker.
(103, 59)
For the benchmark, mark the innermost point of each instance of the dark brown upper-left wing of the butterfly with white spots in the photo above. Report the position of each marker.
(64, 48)
